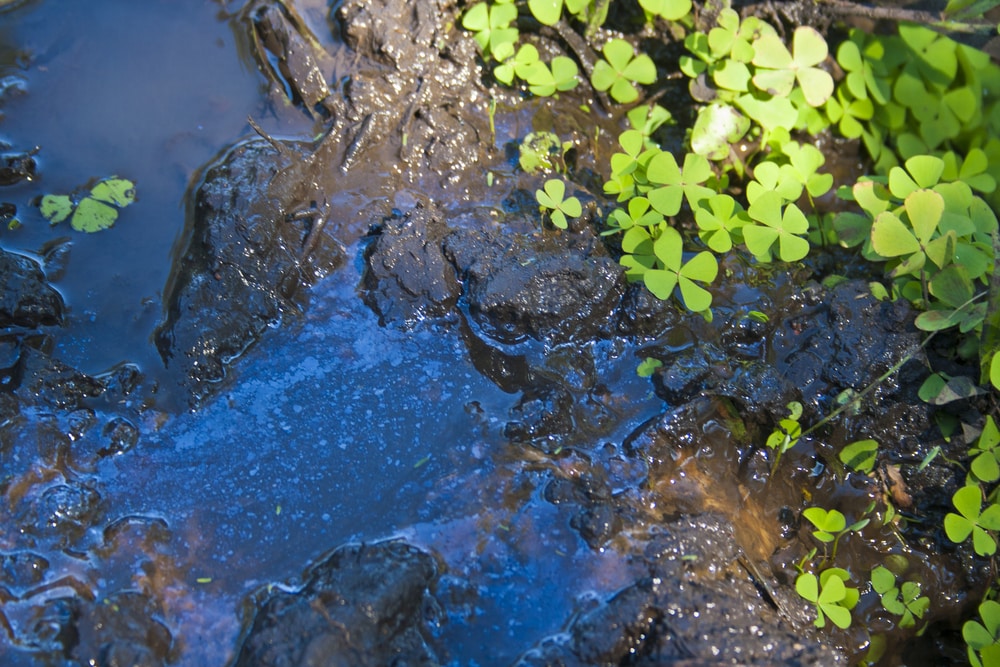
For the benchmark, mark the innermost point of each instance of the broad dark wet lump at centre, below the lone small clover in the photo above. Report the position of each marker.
(555, 288)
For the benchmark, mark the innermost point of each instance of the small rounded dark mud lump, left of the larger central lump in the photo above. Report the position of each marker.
(407, 276)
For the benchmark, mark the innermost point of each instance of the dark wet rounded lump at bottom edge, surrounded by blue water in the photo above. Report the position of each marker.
(363, 605)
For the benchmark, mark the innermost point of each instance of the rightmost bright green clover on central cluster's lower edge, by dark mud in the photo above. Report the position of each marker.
(784, 228)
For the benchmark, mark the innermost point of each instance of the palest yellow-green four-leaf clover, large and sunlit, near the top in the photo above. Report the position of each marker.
(778, 69)
